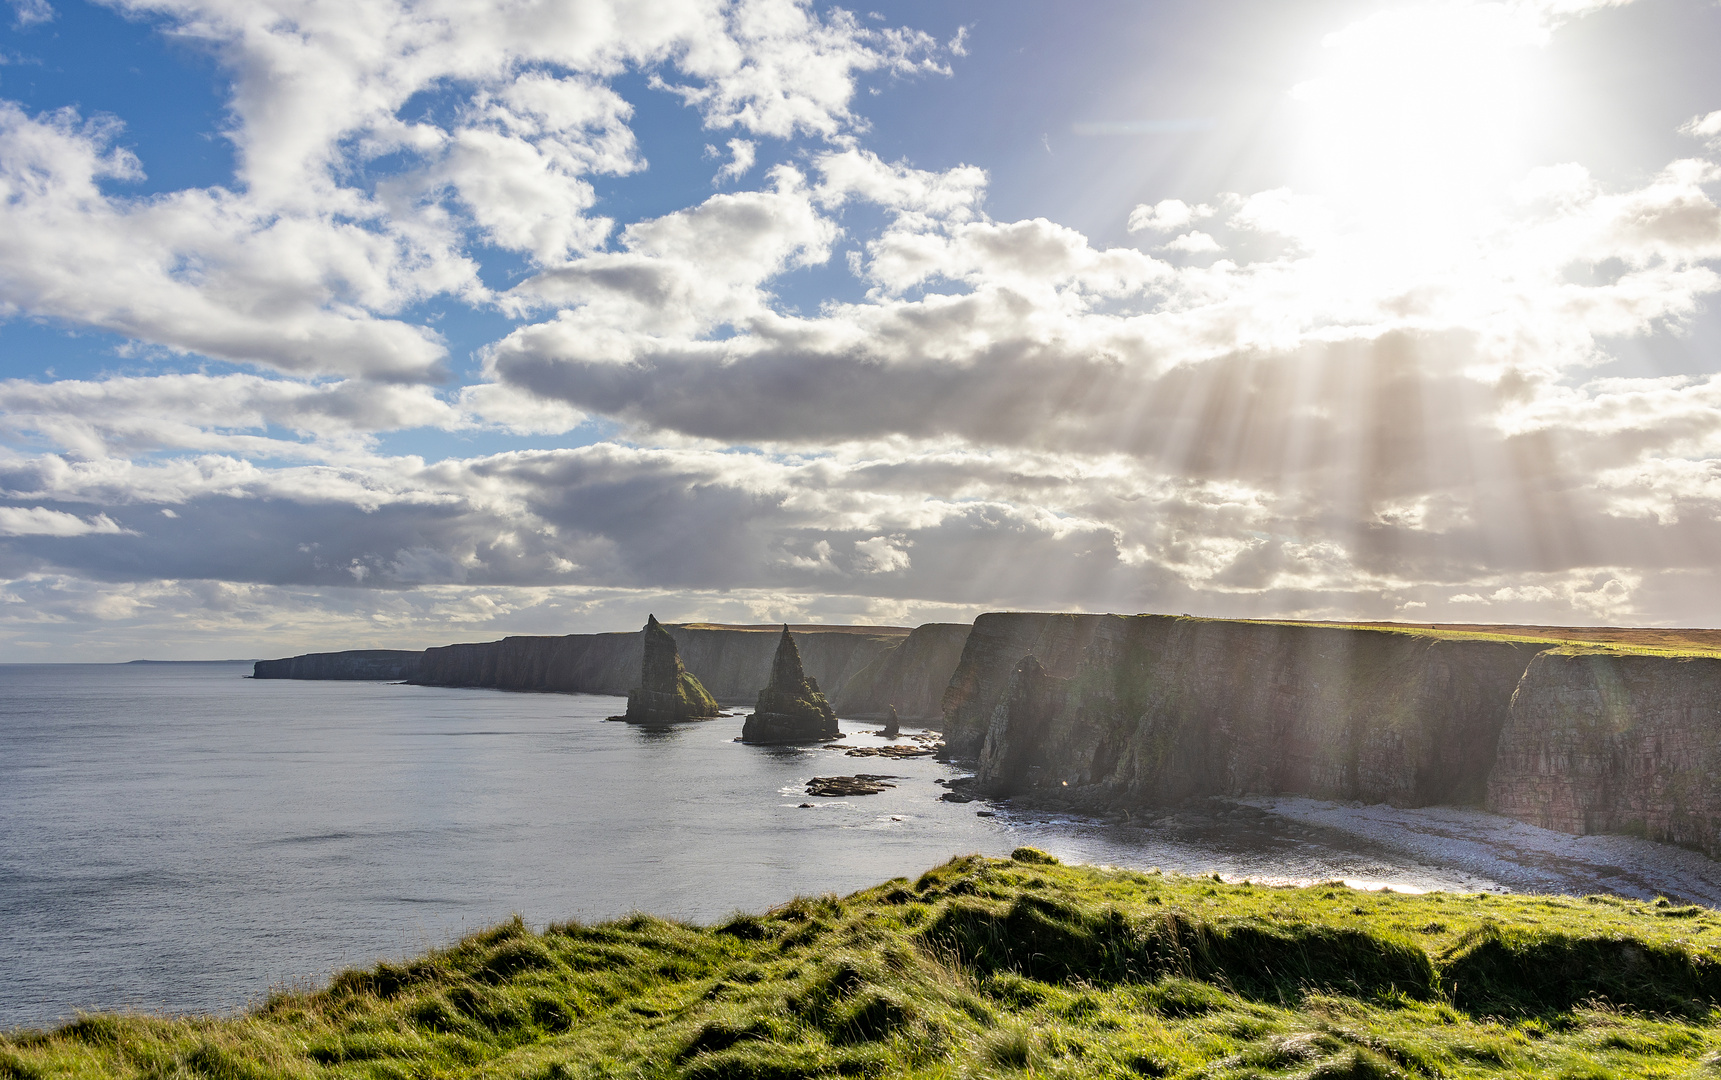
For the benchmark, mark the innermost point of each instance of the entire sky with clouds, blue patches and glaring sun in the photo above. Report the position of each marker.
(405, 322)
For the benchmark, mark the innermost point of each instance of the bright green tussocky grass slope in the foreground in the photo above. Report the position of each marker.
(996, 969)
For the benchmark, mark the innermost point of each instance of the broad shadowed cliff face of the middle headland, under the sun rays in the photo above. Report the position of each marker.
(1159, 709)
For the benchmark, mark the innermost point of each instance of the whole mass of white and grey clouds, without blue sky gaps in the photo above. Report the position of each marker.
(1273, 403)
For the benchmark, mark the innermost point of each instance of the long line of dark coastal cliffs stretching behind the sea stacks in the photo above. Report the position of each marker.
(1130, 713)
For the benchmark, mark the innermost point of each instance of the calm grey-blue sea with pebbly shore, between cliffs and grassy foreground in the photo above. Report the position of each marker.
(182, 838)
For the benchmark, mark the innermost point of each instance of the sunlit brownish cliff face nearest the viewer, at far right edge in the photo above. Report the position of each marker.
(1615, 744)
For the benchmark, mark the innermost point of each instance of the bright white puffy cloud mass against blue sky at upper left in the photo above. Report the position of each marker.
(302, 269)
